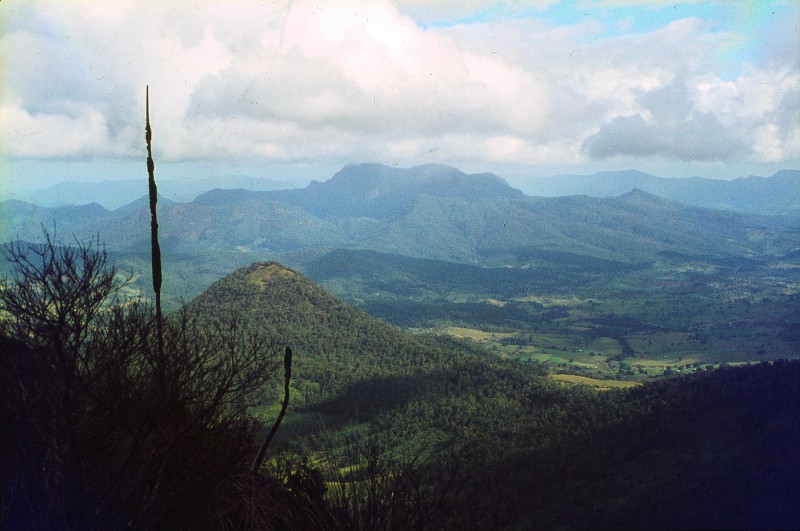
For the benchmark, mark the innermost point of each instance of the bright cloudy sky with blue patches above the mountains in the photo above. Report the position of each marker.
(294, 90)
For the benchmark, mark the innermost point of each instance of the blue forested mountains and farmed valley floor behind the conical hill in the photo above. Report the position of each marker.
(431, 247)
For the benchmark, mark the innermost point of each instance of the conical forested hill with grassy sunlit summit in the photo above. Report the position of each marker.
(334, 343)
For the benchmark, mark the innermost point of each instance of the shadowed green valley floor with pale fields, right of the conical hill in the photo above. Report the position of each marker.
(601, 318)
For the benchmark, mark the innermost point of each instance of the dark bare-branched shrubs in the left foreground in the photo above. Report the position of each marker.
(101, 429)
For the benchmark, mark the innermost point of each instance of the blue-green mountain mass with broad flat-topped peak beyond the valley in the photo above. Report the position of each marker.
(430, 211)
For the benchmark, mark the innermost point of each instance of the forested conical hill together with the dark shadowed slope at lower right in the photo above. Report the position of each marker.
(473, 431)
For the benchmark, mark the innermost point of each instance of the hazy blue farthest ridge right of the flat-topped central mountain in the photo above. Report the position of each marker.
(775, 195)
